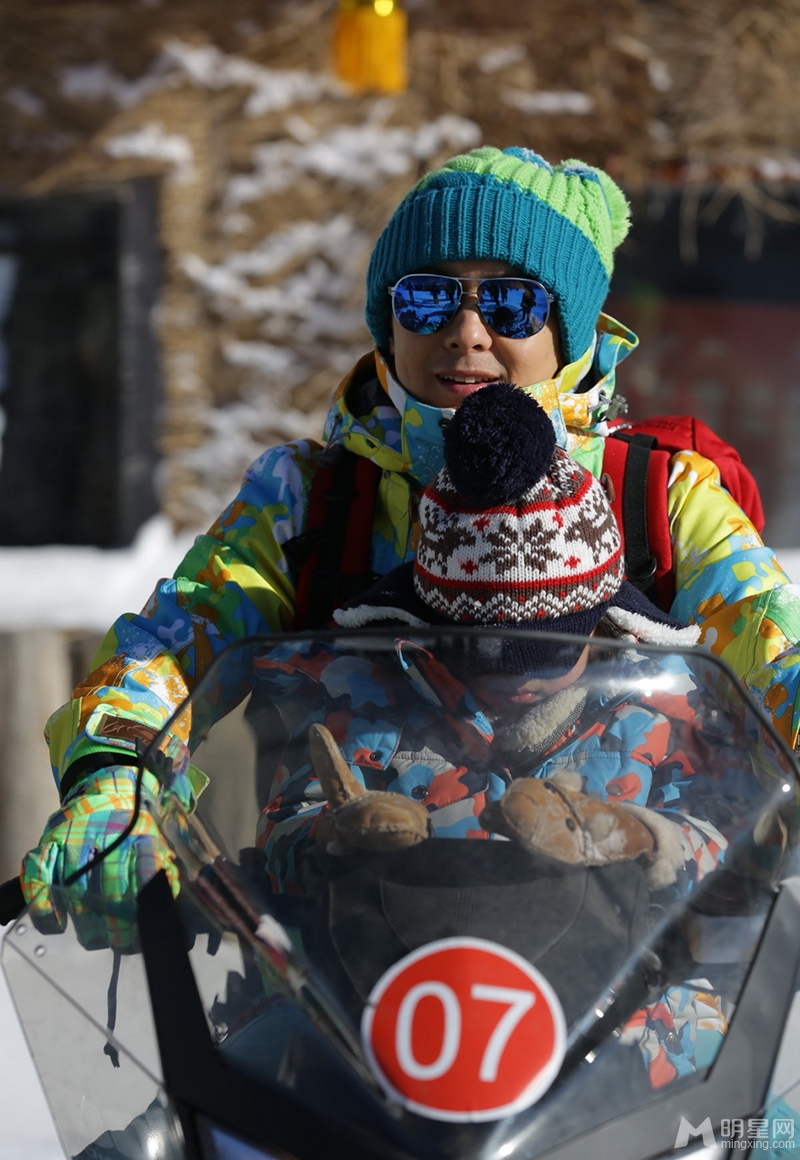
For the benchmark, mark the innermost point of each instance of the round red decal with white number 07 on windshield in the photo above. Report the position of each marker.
(464, 1029)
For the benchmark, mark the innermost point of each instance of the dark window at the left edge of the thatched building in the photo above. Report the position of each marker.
(79, 385)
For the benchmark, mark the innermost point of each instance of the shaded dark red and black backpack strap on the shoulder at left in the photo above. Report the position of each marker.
(331, 559)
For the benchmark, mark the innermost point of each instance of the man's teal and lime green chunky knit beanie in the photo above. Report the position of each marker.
(558, 224)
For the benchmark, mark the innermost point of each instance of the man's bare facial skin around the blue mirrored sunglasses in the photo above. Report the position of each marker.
(442, 369)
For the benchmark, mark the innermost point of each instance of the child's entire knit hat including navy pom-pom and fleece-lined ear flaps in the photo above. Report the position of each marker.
(514, 534)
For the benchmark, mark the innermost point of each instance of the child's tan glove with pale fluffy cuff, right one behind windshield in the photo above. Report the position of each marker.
(546, 816)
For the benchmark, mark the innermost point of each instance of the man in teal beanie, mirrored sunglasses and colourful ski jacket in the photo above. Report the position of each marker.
(521, 256)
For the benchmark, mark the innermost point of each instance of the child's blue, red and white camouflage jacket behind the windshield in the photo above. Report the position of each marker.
(417, 730)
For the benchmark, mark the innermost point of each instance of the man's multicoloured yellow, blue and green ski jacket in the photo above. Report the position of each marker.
(237, 582)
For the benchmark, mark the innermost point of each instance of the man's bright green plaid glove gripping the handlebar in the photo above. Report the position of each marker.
(103, 902)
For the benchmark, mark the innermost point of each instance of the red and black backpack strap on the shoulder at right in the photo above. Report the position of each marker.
(637, 474)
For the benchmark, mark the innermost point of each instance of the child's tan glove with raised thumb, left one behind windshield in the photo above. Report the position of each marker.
(355, 817)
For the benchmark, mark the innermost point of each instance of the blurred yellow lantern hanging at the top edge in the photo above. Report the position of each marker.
(370, 46)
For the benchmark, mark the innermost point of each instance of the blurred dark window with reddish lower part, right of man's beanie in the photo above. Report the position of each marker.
(712, 287)
